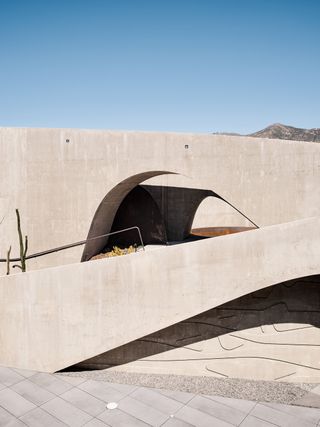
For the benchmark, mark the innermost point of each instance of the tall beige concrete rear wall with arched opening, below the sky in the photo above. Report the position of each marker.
(58, 185)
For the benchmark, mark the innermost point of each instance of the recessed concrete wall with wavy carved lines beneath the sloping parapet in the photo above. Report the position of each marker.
(273, 333)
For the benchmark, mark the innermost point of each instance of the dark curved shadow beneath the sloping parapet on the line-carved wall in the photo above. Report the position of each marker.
(293, 302)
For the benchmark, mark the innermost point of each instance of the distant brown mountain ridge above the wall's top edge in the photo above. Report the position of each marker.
(280, 131)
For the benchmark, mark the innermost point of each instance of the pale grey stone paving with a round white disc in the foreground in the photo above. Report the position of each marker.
(35, 399)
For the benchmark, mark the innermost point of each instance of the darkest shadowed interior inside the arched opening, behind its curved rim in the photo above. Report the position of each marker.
(163, 214)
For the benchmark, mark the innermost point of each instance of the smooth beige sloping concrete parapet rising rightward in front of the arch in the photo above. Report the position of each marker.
(57, 317)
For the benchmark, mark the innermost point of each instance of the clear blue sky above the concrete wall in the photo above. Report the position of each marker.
(176, 65)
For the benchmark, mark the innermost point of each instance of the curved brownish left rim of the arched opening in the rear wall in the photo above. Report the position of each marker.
(105, 214)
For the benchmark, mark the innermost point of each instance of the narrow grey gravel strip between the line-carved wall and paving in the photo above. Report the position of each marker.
(263, 391)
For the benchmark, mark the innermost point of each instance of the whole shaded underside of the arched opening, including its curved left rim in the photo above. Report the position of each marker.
(163, 214)
